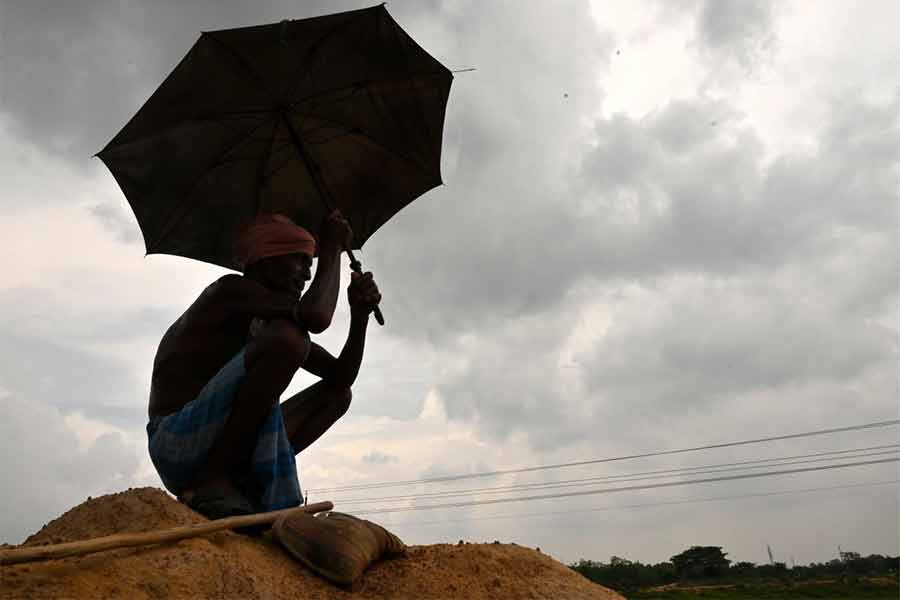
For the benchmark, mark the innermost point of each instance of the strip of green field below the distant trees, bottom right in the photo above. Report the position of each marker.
(868, 589)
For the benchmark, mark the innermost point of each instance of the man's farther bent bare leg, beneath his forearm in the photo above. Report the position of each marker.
(310, 413)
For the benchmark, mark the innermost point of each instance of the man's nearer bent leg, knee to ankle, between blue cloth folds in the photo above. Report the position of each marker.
(271, 360)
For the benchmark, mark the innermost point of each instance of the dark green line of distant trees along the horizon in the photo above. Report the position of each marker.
(709, 564)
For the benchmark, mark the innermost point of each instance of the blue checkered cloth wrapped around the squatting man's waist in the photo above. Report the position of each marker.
(180, 442)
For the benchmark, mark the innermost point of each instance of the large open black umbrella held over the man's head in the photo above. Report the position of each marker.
(299, 117)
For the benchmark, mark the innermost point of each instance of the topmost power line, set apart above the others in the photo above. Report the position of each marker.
(446, 478)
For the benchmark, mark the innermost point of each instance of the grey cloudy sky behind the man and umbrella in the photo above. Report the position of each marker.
(663, 225)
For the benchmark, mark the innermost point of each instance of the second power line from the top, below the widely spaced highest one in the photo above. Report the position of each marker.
(615, 478)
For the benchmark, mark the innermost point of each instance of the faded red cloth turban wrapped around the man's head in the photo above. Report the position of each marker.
(272, 235)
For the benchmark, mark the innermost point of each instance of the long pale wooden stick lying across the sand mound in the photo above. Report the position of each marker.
(124, 540)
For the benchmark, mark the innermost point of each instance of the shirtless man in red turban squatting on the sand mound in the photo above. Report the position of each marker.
(219, 436)
